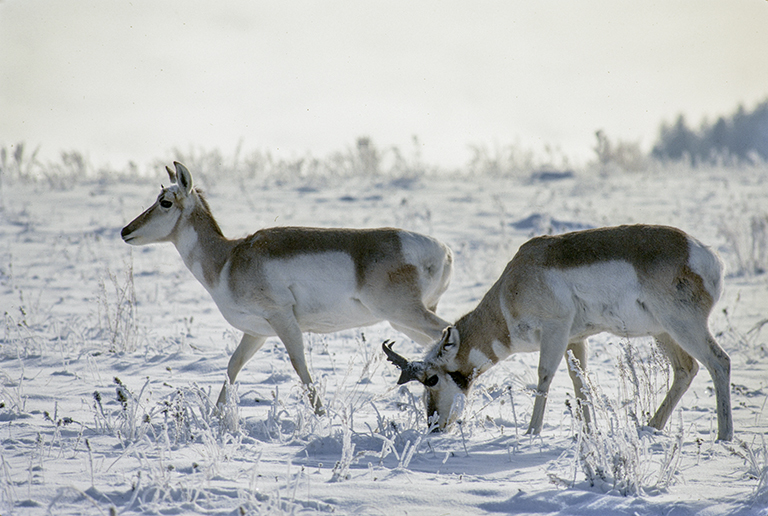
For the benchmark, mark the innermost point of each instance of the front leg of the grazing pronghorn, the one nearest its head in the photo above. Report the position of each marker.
(554, 341)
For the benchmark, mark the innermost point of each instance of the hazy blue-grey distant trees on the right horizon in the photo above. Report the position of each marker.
(741, 137)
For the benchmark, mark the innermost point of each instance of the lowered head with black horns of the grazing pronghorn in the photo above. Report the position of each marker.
(440, 374)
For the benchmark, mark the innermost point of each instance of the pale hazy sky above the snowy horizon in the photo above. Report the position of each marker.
(123, 81)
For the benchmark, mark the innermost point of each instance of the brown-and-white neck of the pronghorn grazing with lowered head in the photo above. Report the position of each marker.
(484, 338)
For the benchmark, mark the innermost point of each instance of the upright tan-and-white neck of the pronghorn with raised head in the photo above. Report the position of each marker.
(200, 241)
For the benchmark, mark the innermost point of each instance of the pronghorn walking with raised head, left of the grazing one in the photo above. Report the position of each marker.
(284, 281)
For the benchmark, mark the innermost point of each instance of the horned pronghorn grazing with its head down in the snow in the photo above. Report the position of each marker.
(557, 290)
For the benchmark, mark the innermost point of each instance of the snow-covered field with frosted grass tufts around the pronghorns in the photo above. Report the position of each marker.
(110, 357)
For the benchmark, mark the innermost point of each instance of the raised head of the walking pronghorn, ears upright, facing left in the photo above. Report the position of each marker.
(158, 222)
